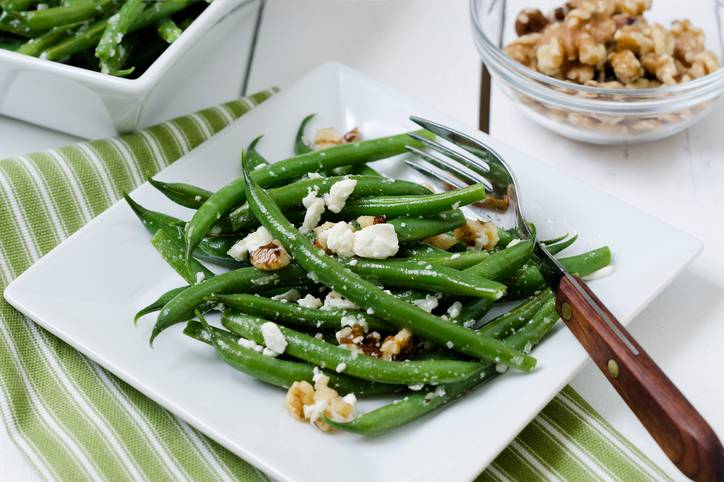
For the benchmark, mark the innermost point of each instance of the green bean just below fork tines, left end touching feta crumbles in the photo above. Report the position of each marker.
(424, 205)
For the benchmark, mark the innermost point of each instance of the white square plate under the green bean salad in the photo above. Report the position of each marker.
(87, 289)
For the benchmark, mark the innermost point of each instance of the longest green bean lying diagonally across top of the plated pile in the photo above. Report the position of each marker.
(364, 293)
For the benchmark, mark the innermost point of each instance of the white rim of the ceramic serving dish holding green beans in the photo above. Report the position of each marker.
(214, 13)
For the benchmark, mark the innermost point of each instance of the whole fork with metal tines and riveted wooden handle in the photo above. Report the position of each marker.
(674, 423)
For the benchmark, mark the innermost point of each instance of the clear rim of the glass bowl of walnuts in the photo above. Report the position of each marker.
(561, 86)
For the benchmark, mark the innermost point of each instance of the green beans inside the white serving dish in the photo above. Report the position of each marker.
(115, 37)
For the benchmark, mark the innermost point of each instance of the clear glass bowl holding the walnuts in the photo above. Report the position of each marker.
(593, 114)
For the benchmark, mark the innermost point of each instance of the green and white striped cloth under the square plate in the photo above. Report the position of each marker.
(76, 421)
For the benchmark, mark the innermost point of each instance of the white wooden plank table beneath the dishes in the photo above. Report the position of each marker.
(423, 48)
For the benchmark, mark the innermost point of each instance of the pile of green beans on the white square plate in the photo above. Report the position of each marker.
(441, 299)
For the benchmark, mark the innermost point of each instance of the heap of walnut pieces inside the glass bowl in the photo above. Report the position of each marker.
(610, 36)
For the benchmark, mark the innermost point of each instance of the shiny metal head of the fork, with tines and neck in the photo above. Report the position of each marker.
(471, 162)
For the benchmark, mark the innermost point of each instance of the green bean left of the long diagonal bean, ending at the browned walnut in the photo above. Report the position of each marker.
(293, 313)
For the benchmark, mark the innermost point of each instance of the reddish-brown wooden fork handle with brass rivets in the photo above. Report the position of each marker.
(677, 427)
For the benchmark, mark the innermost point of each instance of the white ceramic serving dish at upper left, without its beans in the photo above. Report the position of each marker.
(213, 51)
